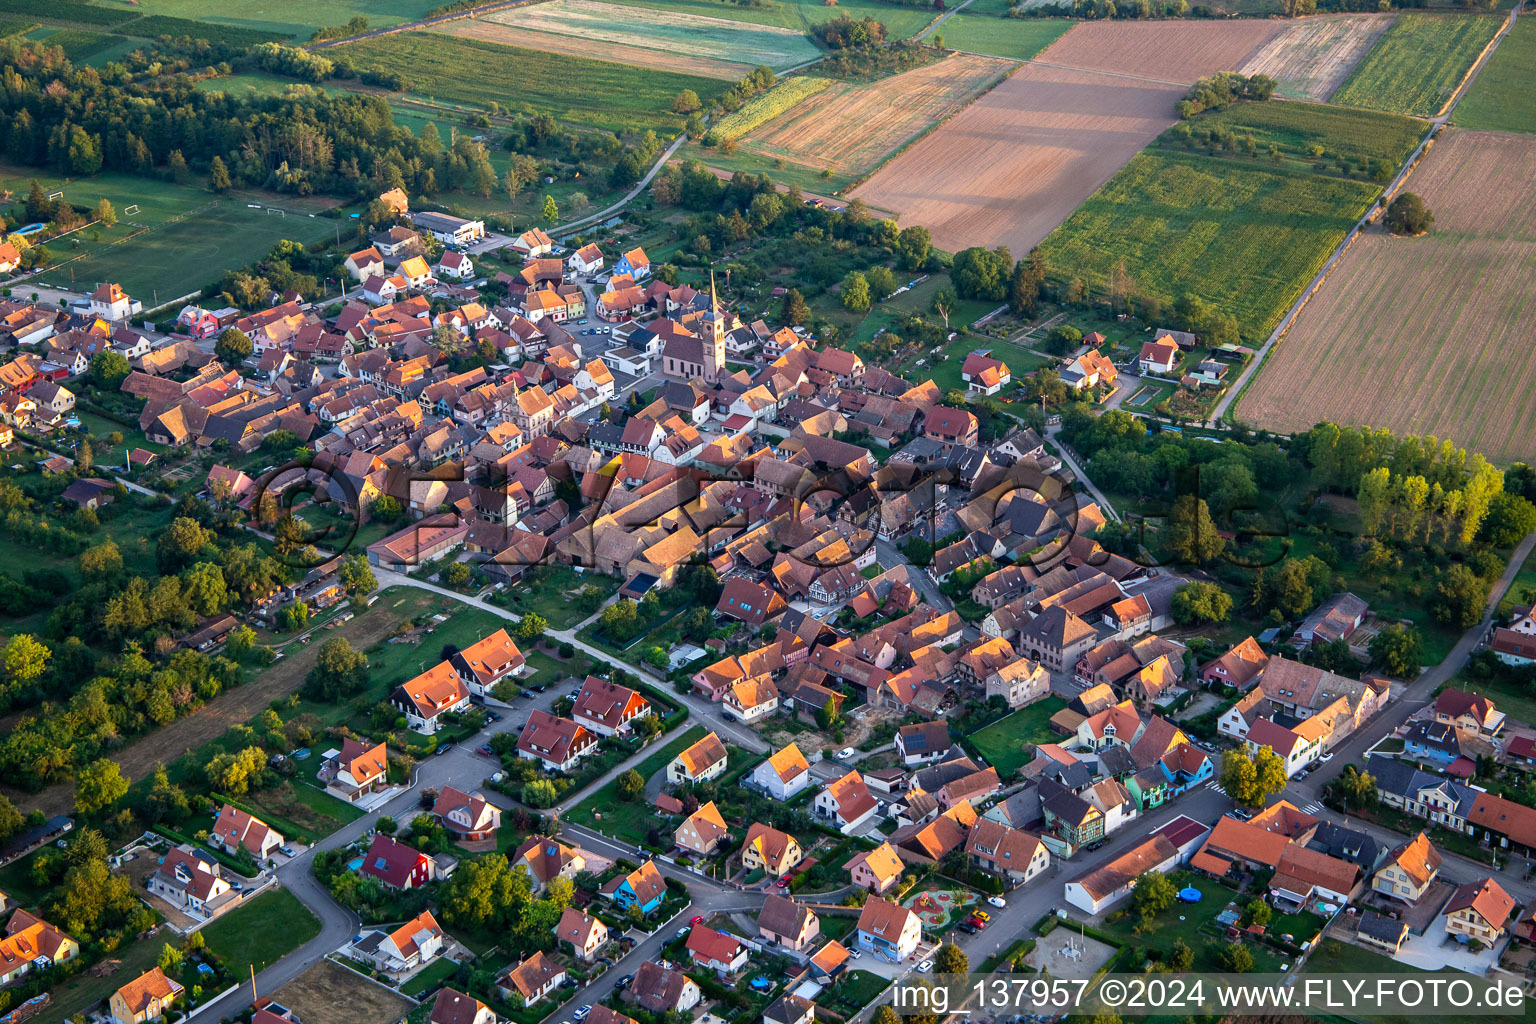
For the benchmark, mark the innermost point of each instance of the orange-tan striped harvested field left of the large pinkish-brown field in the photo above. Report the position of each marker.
(852, 128)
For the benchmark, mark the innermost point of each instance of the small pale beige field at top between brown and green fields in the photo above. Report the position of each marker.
(1313, 58)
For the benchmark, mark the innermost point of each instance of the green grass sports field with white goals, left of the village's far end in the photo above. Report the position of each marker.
(159, 254)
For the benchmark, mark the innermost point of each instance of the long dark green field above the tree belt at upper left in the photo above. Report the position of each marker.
(594, 93)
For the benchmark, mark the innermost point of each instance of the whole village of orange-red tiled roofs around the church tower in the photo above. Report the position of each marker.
(852, 693)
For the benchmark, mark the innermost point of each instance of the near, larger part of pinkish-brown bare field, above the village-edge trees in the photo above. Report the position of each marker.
(1018, 162)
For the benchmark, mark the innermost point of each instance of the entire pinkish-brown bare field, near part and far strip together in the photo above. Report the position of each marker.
(1018, 162)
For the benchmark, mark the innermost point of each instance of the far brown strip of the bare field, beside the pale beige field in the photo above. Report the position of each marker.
(1165, 51)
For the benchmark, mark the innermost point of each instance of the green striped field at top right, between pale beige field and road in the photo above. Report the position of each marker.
(1418, 64)
